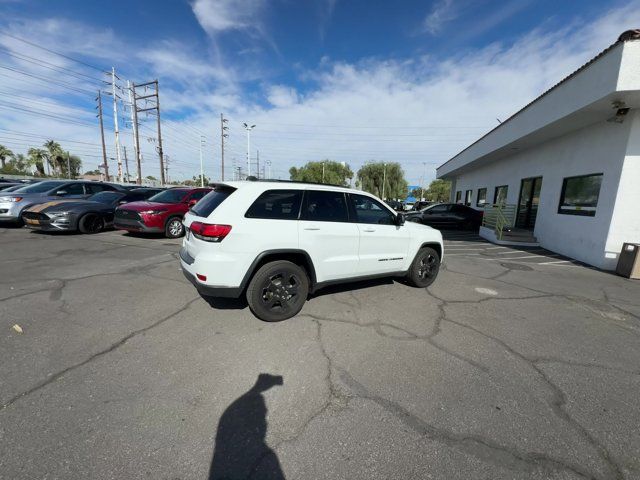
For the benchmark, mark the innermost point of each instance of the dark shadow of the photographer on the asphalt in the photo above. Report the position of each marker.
(240, 448)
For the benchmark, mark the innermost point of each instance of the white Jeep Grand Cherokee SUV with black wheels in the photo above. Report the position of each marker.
(279, 241)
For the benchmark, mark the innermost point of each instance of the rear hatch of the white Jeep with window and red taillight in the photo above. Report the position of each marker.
(200, 231)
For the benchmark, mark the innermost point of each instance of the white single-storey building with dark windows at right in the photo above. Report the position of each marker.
(568, 163)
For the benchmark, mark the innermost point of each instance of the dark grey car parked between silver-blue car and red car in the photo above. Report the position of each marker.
(92, 215)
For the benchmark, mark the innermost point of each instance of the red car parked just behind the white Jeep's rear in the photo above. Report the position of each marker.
(161, 213)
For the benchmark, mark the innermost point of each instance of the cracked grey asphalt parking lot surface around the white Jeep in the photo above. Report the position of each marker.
(515, 364)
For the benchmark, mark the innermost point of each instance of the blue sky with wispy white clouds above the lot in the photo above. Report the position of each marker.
(354, 81)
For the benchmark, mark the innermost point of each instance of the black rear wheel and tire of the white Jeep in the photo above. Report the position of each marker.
(277, 291)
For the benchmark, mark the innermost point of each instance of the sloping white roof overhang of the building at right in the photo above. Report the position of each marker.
(587, 96)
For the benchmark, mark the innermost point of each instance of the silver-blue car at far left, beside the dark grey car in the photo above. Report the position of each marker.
(13, 204)
